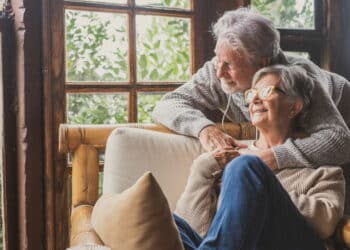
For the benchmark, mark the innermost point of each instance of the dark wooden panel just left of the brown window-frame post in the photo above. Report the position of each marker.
(30, 134)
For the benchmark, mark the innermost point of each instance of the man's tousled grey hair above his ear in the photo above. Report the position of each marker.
(245, 29)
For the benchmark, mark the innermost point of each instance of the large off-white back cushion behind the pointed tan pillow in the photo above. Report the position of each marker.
(130, 152)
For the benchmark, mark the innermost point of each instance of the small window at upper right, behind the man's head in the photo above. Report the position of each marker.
(300, 23)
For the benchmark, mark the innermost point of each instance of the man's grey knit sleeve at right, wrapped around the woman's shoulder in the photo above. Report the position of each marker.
(329, 139)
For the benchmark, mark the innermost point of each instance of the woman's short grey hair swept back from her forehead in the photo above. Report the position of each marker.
(294, 81)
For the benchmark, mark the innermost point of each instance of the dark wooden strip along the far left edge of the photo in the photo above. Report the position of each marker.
(8, 134)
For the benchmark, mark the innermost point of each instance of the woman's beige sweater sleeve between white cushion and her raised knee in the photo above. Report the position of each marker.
(199, 198)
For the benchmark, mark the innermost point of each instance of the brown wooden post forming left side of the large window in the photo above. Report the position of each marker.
(57, 203)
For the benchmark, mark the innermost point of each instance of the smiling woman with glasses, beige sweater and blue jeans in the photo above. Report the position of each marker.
(291, 208)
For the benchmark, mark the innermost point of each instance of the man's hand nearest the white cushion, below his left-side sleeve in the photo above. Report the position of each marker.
(212, 137)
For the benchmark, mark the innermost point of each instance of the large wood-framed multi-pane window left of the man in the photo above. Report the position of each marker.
(122, 56)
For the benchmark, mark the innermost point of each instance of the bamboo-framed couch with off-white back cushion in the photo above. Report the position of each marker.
(136, 149)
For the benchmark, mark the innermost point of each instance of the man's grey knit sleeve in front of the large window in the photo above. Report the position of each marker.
(186, 110)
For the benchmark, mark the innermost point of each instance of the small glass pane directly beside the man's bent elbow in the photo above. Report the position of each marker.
(145, 105)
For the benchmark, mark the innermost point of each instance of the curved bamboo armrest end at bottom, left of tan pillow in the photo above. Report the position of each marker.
(82, 231)
